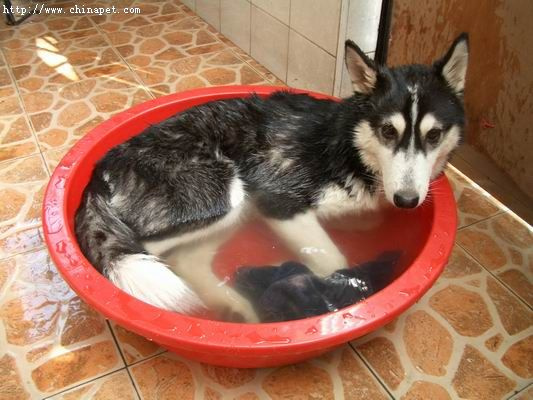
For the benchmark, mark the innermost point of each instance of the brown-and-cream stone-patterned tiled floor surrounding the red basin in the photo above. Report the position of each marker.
(470, 337)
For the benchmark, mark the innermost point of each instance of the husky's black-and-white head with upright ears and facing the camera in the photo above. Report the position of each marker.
(413, 119)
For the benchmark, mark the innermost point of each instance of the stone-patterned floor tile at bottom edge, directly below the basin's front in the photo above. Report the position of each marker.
(335, 374)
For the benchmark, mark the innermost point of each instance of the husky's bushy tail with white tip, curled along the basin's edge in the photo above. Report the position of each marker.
(114, 249)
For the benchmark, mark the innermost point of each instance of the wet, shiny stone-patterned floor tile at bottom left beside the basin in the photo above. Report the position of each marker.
(56, 339)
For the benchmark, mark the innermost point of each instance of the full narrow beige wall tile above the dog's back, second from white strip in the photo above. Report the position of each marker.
(270, 42)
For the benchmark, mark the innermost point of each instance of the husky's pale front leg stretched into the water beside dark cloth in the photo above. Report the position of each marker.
(306, 238)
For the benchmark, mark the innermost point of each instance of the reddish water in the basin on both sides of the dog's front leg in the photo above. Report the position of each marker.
(255, 245)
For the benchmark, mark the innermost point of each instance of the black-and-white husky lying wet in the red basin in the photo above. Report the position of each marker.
(293, 159)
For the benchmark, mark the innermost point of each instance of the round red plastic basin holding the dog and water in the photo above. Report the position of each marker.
(232, 344)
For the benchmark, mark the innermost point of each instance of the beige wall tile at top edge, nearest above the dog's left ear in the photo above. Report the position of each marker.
(317, 20)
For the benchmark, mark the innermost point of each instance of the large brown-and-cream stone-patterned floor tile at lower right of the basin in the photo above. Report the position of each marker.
(467, 337)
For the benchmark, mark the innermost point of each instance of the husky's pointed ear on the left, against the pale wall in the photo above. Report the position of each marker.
(362, 69)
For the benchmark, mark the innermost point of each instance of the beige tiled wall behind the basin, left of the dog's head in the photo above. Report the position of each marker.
(300, 41)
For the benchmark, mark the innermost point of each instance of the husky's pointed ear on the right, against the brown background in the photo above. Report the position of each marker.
(452, 67)
